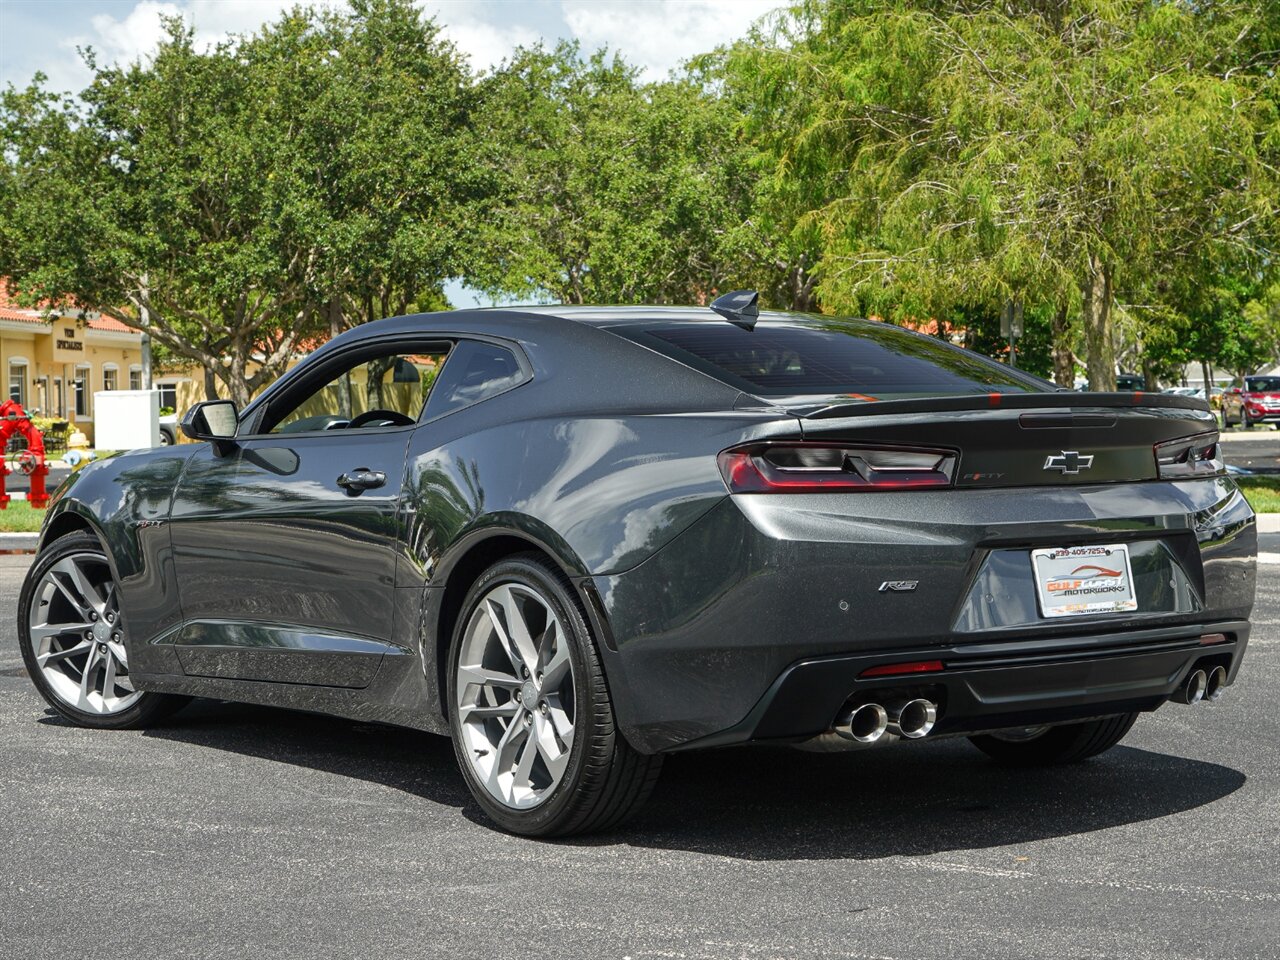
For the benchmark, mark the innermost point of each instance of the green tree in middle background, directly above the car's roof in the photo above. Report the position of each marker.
(615, 191)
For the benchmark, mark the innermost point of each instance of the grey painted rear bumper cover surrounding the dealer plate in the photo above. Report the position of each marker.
(702, 637)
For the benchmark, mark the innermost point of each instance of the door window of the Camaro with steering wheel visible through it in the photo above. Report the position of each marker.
(388, 390)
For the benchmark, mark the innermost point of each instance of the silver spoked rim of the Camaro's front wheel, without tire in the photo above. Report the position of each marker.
(77, 637)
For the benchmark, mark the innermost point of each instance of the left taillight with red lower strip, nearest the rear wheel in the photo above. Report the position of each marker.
(813, 468)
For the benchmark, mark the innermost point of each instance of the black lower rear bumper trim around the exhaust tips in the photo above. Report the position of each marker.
(982, 689)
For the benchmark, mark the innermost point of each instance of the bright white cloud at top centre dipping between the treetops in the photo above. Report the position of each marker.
(659, 35)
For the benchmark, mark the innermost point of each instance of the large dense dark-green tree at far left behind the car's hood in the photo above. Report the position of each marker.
(246, 196)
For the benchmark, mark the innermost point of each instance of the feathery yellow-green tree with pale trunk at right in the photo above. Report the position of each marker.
(1052, 150)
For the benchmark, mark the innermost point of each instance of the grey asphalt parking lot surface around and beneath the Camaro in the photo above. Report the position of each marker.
(249, 833)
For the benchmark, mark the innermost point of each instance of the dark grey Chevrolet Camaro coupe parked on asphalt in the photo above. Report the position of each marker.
(578, 540)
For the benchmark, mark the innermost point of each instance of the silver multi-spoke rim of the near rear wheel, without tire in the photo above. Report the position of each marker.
(515, 696)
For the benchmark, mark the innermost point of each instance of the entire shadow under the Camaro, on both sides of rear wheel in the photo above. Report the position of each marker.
(767, 803)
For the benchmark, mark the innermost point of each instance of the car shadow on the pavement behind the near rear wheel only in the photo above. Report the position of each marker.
(912, 799)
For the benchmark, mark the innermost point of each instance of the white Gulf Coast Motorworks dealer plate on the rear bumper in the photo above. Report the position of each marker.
(1077, 580)
